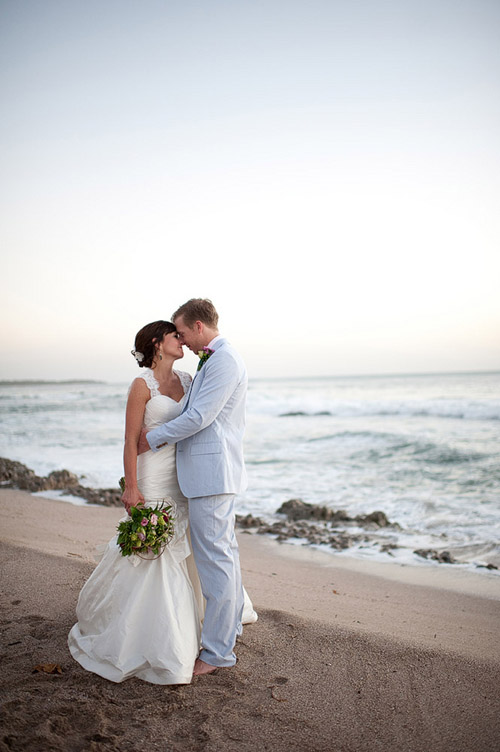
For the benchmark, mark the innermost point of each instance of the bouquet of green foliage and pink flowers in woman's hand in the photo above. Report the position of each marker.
(148, 530)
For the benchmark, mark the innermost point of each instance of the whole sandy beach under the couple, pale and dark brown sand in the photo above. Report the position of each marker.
(345, 655)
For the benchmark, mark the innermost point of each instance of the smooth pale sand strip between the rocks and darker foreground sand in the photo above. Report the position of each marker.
(434, 607)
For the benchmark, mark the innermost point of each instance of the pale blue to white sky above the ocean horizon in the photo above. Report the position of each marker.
(328, 173)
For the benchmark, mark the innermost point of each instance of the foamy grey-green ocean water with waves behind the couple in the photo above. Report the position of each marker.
(424, 449)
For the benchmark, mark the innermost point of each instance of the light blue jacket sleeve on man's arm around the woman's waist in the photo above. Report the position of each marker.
(220, 379)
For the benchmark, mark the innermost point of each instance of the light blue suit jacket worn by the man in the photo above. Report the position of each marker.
(209, 431)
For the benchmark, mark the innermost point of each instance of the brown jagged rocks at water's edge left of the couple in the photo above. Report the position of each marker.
(16, 475)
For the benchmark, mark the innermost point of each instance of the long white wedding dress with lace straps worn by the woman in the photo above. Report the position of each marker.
(139, 617)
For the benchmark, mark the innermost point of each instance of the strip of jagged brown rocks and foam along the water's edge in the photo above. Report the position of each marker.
(369, 537)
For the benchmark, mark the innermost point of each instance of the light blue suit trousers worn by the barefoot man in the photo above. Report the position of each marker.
(217, 558)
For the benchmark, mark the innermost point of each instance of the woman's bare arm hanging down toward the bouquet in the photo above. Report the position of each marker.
(134, 419)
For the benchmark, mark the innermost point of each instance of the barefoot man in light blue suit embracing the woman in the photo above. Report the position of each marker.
(211, 471)
